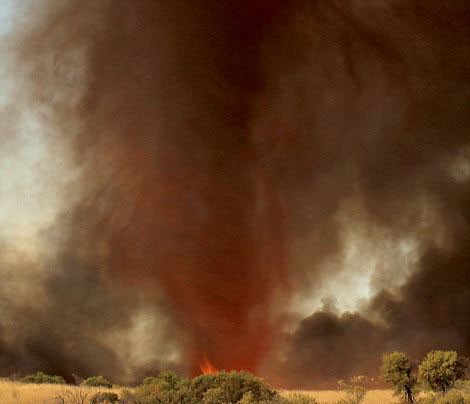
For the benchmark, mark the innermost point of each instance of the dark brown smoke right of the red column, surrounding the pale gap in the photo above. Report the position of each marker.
(378, 98)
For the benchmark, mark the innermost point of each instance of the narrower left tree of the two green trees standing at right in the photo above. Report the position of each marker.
(396, 369)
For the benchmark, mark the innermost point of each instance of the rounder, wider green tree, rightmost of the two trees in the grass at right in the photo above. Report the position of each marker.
(440, 370)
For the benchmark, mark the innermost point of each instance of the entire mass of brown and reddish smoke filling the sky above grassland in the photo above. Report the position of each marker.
(225, 149)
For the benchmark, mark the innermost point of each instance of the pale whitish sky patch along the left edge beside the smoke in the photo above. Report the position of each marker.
(29, 182)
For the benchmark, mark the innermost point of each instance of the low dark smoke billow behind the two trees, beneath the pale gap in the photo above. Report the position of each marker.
(430, 312)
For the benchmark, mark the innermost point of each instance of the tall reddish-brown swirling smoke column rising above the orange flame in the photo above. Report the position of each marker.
(187, 207)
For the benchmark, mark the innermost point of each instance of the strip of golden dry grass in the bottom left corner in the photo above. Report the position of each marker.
(22, 393)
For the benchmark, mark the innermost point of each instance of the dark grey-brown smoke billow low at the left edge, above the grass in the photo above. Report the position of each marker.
(50, 328)
